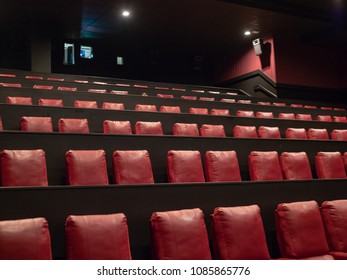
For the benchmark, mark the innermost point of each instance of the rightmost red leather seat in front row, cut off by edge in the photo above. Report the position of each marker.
(334, 214)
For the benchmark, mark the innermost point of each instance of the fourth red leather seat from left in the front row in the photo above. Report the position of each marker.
(239, 233)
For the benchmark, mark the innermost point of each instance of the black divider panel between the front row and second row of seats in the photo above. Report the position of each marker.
(140, 201)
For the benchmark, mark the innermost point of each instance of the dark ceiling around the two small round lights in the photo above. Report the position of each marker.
(209, 25)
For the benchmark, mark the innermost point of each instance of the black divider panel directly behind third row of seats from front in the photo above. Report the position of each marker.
(11, 115)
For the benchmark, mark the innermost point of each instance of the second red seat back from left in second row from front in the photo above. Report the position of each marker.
(86, 167)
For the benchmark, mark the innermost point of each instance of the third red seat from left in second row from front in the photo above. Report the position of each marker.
(132, 167)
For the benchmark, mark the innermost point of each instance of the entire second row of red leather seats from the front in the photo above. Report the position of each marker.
(88, 167)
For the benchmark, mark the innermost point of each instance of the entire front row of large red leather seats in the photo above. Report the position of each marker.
(304, 231)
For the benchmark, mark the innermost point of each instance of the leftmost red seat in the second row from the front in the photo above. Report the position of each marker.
(23, 168)
